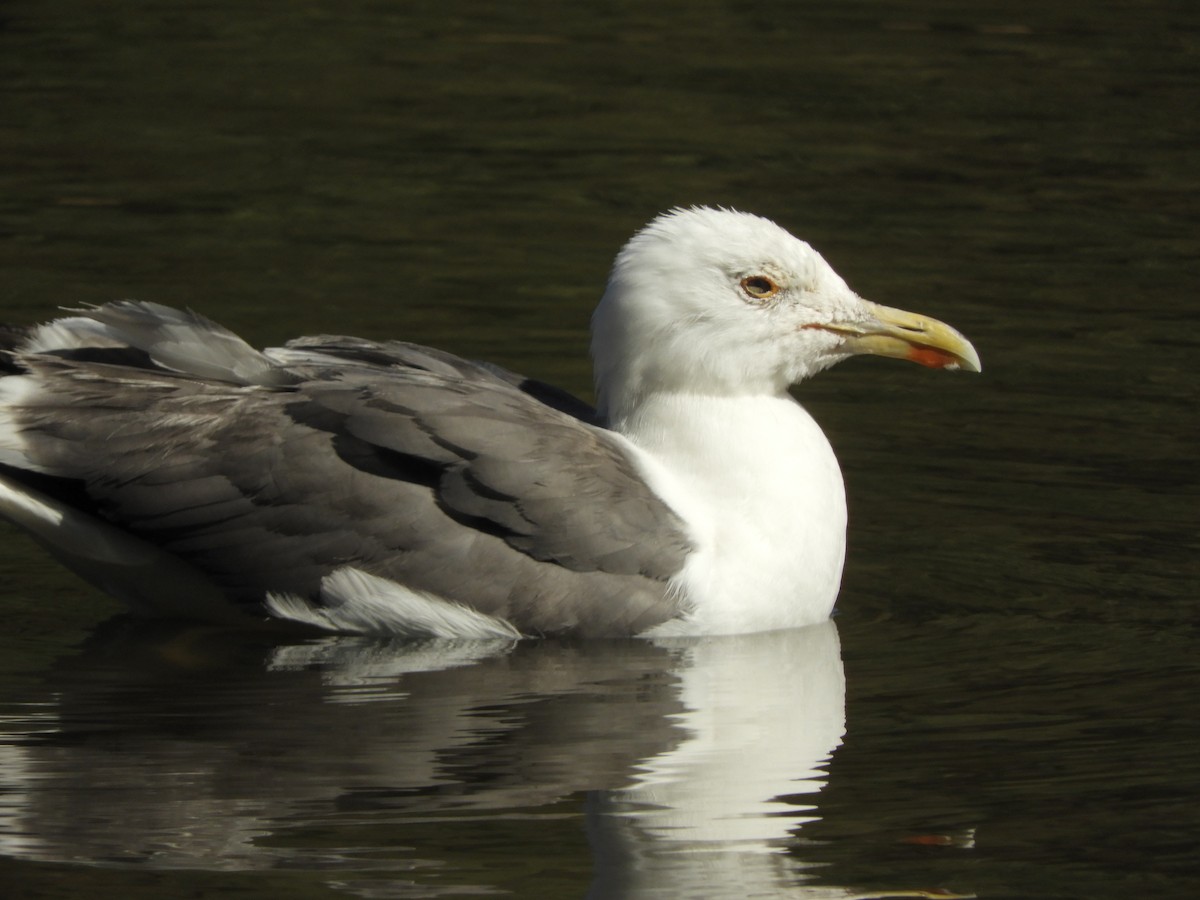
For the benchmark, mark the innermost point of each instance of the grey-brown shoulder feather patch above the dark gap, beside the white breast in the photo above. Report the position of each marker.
(557, 489)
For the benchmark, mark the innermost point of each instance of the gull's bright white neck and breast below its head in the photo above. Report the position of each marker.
(758, 483)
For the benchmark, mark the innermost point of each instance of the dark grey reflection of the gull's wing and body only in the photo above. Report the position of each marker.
(221, 759)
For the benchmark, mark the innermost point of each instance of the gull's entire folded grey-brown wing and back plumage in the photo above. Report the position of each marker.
(443, 476)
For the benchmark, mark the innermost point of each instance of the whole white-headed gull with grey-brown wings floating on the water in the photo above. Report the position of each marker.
(386, 488)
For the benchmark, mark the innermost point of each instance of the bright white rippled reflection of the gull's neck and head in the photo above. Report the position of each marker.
(713, 815)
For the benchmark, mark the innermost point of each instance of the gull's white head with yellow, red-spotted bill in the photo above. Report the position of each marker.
(713, 302)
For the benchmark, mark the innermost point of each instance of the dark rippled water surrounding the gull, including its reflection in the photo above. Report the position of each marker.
(1005, 706)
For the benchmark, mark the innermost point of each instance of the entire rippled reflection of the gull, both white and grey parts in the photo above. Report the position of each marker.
(699, 755)
